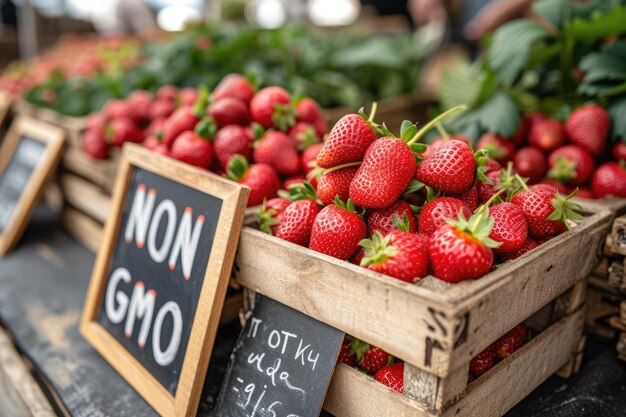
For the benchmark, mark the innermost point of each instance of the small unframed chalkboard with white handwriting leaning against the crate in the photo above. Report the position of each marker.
(281, 365)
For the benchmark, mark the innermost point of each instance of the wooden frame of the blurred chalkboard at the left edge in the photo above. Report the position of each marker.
(53, 138)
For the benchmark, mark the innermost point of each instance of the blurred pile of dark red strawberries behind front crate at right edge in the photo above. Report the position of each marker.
(567, 155)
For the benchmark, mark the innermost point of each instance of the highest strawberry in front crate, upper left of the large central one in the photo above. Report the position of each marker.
(347, 141)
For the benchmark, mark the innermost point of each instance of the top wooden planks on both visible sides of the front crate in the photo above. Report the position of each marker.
(432, 325)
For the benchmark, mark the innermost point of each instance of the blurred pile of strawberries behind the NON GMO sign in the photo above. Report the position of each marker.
(259, 139)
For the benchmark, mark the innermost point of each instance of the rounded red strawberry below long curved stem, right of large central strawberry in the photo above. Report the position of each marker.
(451, 168)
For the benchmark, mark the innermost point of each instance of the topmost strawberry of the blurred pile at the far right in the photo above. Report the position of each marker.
(588, 127)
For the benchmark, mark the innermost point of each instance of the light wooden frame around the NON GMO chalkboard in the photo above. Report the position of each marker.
(184, 400)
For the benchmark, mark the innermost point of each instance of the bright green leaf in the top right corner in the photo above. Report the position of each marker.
(611, 23)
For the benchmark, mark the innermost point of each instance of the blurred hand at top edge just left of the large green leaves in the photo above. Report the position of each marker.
(495, 14)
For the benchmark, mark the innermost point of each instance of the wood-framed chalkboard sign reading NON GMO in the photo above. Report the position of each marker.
(161, 275)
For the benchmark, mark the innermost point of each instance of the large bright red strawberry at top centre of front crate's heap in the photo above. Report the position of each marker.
(387, 169)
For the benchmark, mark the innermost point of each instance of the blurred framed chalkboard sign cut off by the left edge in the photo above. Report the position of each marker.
(28, 158)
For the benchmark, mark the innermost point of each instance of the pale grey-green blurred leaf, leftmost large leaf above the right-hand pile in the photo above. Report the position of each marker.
(511, 47)
